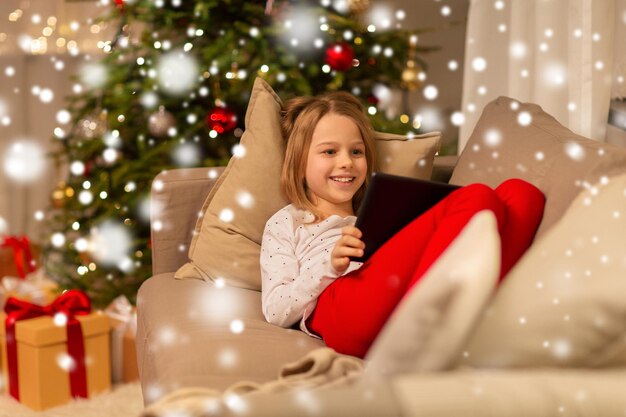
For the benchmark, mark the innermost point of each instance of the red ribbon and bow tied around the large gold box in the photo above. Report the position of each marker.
(72, 303)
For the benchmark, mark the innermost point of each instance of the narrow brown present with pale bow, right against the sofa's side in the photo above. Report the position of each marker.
(123, 331)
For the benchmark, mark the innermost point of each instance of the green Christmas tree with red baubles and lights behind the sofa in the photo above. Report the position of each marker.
(171, 89)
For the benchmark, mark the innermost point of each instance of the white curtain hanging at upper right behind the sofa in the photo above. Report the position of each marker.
(568, 56)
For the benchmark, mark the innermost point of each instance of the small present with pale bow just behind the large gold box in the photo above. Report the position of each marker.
(36, 288)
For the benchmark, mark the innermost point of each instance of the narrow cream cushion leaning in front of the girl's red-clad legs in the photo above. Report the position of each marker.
(430, 326)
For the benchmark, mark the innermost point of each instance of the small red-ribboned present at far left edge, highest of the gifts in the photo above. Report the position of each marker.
(17, 256)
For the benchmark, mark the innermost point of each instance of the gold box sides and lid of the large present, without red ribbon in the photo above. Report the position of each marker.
(40, 343)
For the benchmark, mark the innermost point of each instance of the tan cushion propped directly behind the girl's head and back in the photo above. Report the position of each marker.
(249, 192)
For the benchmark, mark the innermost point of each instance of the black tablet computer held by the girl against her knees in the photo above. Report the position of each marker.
(390, 203)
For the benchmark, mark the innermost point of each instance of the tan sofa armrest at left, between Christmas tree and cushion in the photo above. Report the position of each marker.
(176, 201)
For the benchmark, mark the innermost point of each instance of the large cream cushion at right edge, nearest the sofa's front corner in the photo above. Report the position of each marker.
(564, 303)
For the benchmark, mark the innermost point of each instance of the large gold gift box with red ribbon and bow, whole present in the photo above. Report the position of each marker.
(53, 353)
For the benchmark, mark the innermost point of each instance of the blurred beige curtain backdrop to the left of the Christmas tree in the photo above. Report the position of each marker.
(23, 115)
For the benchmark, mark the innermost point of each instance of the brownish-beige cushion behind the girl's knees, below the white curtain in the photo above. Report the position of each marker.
(544, 153)
